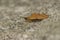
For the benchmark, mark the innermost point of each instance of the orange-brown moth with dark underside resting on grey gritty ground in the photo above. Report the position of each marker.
(36, 17)
